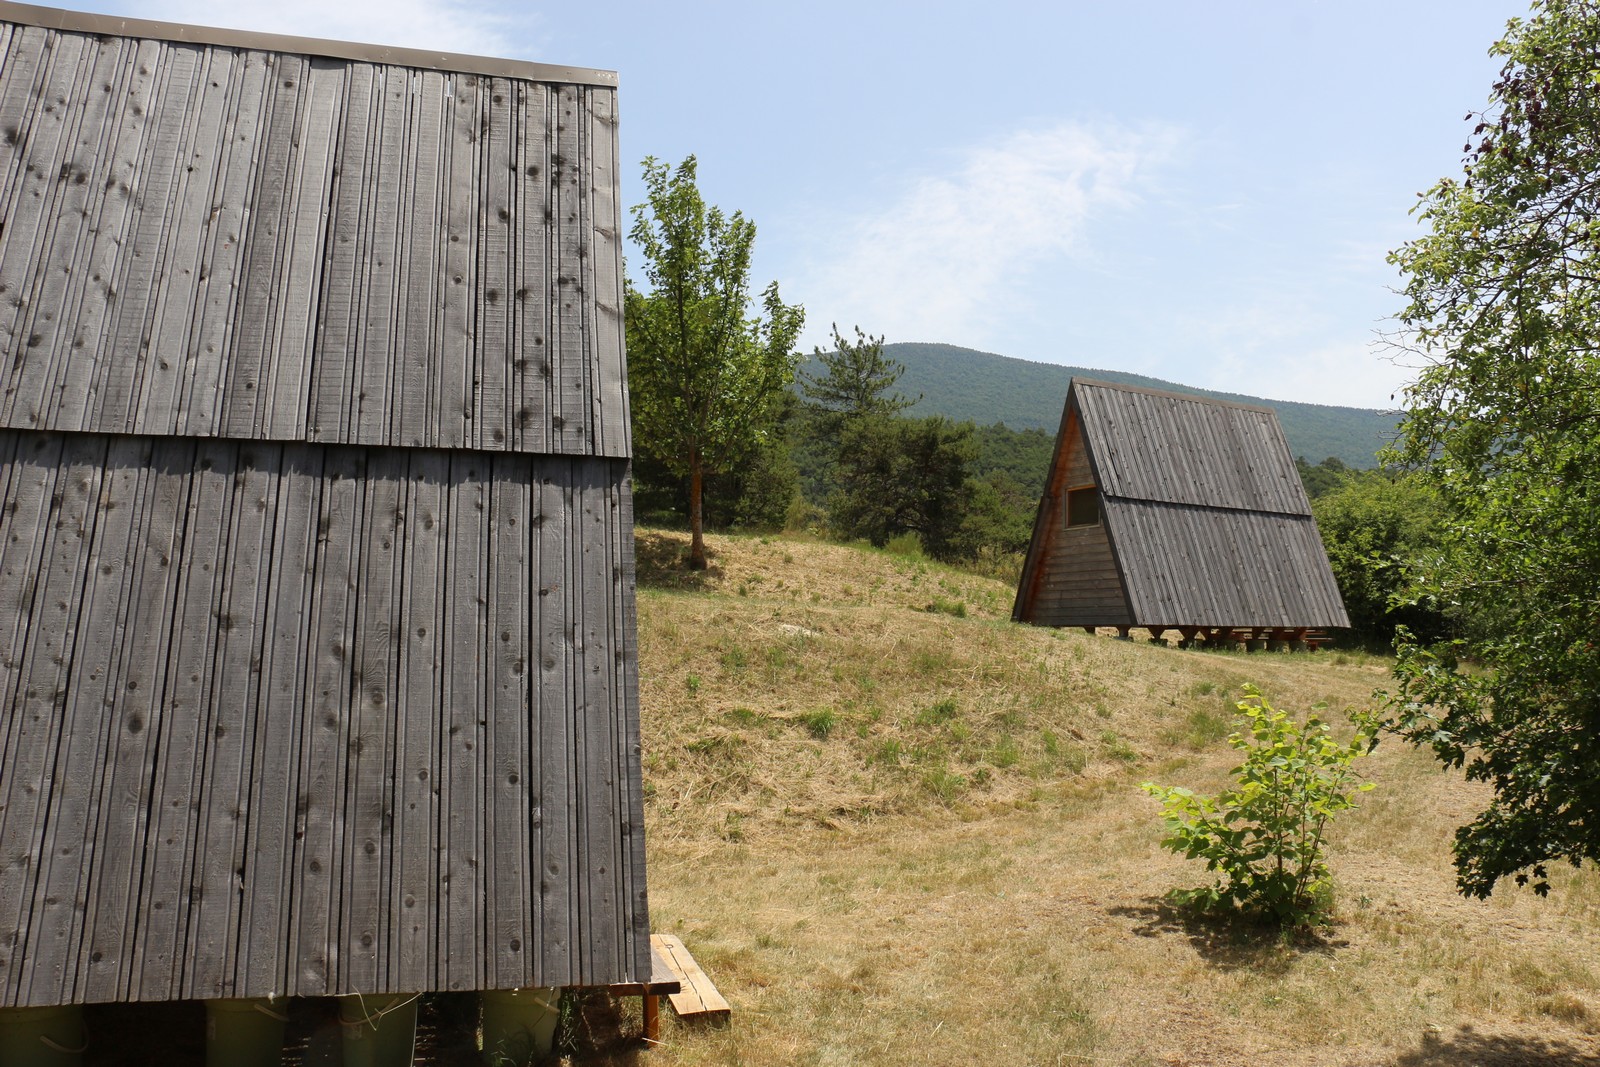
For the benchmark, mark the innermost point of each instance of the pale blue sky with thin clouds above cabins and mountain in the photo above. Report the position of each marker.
(1198, 193)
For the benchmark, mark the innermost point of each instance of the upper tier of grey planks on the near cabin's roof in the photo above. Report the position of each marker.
(230, 242)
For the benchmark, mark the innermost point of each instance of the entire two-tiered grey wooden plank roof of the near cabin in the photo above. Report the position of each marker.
(318, 652)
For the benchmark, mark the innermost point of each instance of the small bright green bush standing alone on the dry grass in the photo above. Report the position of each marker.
(1266, 836)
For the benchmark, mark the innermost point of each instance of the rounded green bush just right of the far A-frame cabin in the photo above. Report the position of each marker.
(1372, 527)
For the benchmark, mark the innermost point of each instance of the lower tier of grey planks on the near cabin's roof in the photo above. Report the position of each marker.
(313, 721)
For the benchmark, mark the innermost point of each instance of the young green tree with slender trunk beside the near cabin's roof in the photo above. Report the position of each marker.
(705, 375)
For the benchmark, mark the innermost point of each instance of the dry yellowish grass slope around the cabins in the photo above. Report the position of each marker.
(898, 829)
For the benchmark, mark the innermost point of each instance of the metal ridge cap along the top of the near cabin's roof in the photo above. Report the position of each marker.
(180, 33)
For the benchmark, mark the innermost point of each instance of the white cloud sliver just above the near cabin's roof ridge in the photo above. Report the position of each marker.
(434, 25)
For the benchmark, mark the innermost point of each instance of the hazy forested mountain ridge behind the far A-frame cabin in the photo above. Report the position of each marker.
(986, 388)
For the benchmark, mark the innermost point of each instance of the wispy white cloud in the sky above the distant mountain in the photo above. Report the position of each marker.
(953, 254)
